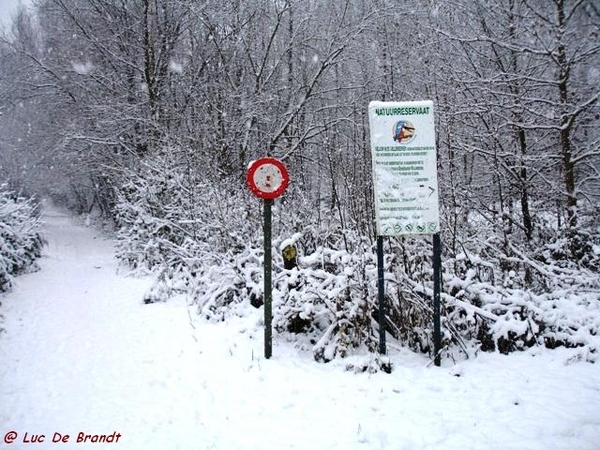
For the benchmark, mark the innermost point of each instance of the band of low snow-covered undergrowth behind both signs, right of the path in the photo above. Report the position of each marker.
(499, 294)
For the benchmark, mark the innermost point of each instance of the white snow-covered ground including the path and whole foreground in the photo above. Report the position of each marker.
(83, 354)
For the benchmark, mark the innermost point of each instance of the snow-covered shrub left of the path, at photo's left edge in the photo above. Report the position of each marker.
(21, 241)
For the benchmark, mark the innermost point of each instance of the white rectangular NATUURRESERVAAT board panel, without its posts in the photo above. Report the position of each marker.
(404, 167)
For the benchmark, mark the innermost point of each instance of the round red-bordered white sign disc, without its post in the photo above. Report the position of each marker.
(267, 178)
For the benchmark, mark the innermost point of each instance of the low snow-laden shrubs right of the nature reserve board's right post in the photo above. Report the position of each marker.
(487, 308)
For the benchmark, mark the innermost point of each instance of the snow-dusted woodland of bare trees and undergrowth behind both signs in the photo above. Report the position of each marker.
(149, 111)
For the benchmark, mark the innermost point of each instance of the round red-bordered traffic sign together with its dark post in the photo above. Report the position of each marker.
(267, 179)
